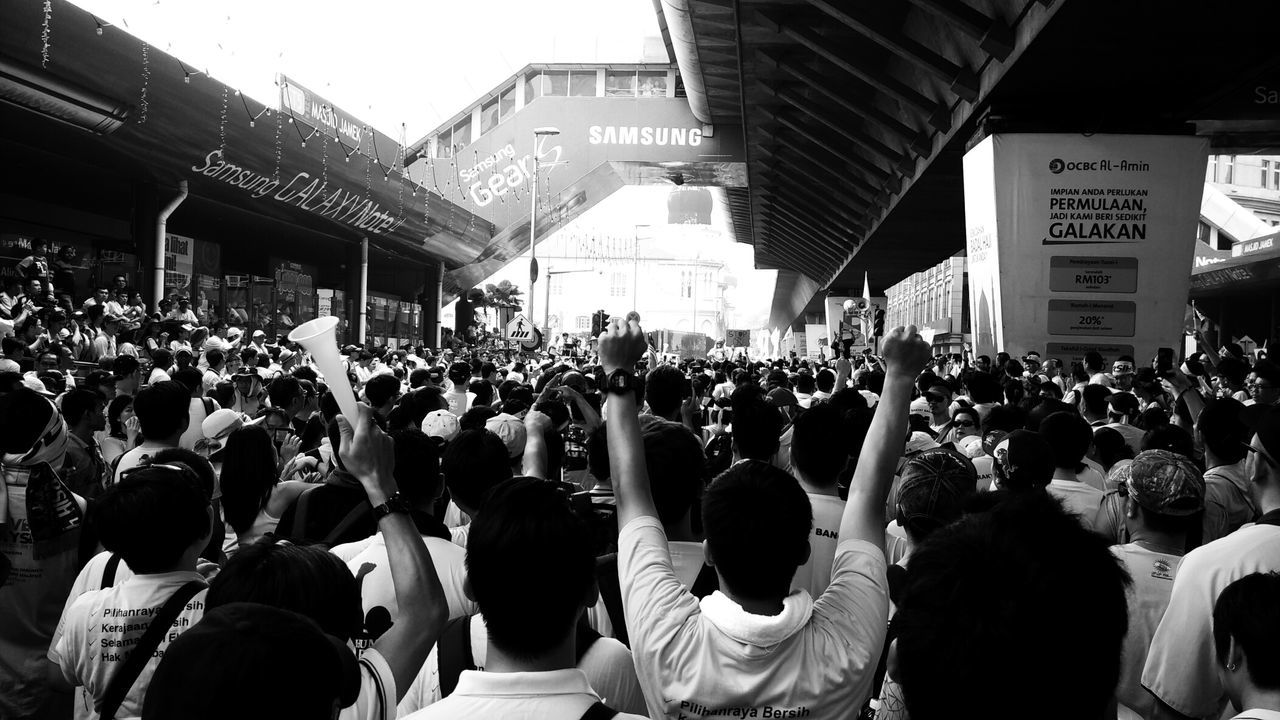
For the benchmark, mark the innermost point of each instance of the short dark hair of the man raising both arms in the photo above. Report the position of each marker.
(757, 521)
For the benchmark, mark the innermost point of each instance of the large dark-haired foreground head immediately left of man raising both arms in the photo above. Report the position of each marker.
(528, 539)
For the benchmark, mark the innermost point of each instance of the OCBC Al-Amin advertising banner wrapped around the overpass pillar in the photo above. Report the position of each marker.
(1081, 244)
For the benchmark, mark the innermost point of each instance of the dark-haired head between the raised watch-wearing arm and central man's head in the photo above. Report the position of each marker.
(675, 463)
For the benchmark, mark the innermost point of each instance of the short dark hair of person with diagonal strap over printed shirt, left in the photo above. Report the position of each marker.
(150, 518)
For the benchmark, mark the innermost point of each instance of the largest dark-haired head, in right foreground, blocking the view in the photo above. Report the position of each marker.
(1025, 589)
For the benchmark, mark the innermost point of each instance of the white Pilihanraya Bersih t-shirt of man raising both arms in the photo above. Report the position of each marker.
(693, 658)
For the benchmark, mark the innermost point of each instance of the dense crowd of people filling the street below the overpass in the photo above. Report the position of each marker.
(194, 530)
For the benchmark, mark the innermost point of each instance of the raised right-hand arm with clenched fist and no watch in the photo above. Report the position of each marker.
(906, 356)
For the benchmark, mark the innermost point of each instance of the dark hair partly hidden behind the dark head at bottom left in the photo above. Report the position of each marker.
(305, 580)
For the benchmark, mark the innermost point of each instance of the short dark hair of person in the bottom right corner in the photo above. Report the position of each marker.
(1246, 612)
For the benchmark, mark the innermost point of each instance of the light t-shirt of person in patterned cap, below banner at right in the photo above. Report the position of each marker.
(1153, 582)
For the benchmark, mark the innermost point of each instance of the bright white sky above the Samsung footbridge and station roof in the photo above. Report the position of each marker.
(387, 62)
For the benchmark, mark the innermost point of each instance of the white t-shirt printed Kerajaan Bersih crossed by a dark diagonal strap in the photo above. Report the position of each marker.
(97, 628)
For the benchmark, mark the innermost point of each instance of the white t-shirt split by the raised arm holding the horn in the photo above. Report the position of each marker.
(369, 564)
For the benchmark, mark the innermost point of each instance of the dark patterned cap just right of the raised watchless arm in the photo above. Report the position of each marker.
(934, 489)
